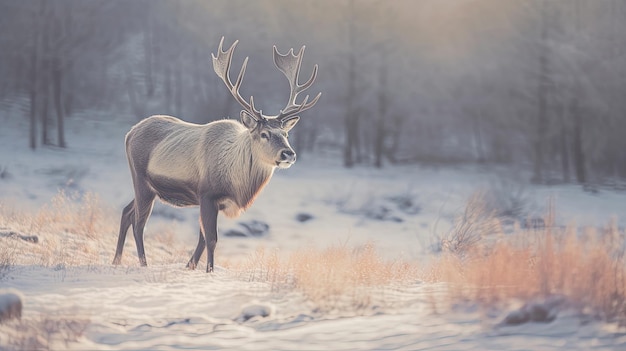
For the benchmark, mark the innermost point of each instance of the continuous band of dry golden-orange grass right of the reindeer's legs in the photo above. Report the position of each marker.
(478, 263)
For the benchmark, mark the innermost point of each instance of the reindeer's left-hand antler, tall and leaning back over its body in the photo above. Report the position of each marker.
(221, 65)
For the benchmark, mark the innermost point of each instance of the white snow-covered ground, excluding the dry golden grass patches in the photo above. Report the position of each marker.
(401, 210)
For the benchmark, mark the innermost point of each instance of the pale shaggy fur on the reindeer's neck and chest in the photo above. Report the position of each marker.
(247, 174)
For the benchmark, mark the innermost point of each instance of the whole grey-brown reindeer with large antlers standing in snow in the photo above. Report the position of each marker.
(219, 166)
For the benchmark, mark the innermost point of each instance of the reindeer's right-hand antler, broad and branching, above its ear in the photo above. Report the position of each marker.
(289, 64)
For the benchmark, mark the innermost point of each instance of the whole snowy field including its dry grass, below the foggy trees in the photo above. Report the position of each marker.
(372, 268)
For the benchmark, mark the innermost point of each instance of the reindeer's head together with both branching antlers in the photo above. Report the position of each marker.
(269, 133)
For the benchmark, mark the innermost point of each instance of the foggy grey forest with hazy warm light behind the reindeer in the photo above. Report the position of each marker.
(537, 84)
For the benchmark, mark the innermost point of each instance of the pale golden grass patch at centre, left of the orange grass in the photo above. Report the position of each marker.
(336, 278)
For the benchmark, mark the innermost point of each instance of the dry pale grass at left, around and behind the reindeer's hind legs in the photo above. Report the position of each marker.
(75, 230)
